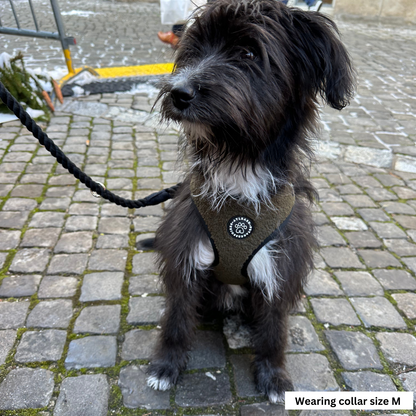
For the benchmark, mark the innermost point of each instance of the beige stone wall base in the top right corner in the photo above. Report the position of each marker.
(382, 9)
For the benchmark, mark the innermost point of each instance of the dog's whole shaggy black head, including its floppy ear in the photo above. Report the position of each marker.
(245, 69)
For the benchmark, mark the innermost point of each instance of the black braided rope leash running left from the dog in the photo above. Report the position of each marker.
(153, 199)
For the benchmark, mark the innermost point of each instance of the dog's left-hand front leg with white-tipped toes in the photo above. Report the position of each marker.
(178, 331)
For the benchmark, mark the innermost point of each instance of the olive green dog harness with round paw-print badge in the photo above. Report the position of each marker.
(237, 232)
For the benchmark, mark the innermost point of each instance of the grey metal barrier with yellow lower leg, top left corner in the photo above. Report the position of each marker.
(60, 35)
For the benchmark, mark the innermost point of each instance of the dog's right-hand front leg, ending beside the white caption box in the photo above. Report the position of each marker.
(269, 341)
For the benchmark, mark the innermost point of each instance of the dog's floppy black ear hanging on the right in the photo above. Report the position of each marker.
(322, 60)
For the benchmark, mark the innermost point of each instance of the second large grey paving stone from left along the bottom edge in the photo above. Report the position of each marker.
(85, 395)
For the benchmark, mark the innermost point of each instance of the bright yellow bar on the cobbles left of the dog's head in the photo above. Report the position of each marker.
(122, 71)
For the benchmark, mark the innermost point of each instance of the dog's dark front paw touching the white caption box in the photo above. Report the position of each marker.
(273, 382)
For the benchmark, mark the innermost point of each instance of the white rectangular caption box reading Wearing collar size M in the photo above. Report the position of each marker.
(348, 400)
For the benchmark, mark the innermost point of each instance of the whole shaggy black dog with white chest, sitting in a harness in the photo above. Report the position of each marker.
(239, 234)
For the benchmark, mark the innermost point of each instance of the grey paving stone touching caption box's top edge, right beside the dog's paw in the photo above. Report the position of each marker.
(310, 372)
